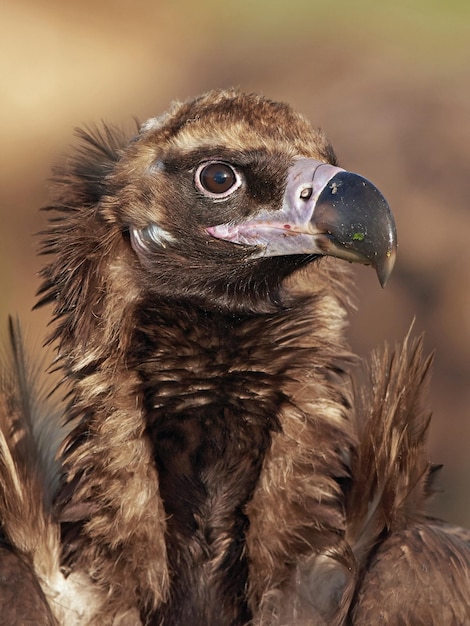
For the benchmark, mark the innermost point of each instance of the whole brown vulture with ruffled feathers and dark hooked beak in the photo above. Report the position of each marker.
(213, 454)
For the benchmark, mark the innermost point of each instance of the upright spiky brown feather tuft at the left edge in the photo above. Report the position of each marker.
(29, 438)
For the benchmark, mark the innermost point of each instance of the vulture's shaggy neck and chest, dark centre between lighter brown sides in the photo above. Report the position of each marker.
(202, 434)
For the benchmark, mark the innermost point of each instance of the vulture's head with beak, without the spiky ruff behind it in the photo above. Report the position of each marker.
(236, 196)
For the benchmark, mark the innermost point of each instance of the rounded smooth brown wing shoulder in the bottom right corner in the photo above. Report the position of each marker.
(417, 576)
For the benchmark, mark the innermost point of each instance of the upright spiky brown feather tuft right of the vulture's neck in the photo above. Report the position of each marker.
(390, 466)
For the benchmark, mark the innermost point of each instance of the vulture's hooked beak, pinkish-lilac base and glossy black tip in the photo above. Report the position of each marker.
(327, 211)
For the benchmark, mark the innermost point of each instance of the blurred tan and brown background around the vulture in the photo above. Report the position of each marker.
(388, 81)
